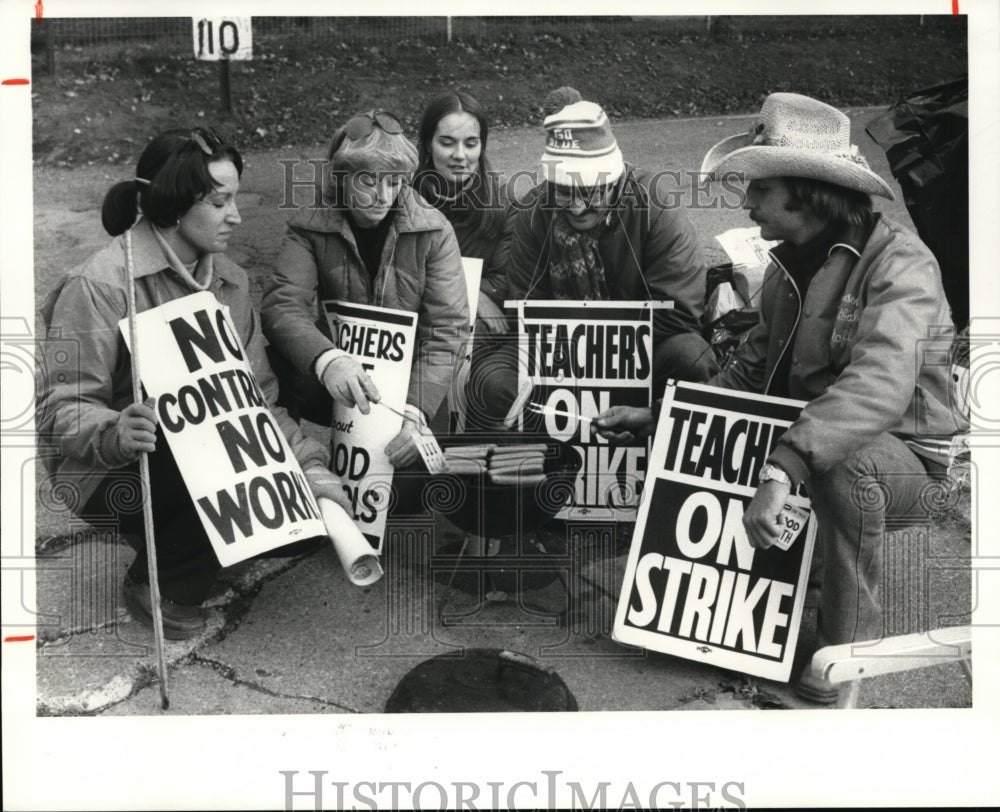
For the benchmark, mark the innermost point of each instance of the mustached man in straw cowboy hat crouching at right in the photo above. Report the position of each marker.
(848, 303)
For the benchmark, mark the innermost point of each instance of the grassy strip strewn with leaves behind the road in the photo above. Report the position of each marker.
(105, 99)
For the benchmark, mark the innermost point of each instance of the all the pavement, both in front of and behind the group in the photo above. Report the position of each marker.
(293, 636)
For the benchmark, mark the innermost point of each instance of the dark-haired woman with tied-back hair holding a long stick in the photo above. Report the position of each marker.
(172, 225)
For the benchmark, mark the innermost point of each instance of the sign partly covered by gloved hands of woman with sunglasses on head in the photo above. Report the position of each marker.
(382, 340)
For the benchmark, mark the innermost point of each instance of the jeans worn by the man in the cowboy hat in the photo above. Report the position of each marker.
(852, 501)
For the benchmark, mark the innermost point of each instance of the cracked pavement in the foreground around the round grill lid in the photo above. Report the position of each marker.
(293, 636)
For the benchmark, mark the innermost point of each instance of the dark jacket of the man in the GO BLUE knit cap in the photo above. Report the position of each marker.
(650, 251)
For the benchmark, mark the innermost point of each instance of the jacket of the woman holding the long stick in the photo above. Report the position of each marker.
(85, 365)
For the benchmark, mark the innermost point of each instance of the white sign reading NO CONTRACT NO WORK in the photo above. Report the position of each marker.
(241, 473)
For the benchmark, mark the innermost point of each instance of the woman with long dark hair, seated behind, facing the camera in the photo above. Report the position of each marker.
(454, 176)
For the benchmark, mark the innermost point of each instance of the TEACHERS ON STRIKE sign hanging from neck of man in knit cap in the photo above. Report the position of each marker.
(579, 359)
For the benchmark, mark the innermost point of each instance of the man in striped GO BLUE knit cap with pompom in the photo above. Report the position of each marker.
(594, 230)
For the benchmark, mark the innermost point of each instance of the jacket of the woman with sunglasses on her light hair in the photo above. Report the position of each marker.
(421, 272)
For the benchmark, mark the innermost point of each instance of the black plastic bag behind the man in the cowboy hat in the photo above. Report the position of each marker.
(925, 138)
